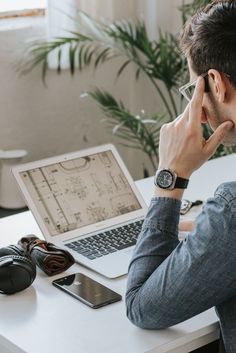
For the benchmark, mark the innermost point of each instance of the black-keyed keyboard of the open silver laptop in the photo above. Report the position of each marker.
(107, 242)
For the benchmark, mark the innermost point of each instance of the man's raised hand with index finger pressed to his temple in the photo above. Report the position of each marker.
(182, 146)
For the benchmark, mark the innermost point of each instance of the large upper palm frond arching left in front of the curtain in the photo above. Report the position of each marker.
(95, 43)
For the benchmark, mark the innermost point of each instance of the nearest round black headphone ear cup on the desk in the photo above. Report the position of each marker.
(16, 273)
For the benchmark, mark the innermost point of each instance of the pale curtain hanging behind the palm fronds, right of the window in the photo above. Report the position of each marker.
(155, 13)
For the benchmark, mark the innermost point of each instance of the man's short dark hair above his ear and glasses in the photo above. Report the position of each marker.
(209, 39)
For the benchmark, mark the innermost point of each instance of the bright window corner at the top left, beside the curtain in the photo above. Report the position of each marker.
(11, 8)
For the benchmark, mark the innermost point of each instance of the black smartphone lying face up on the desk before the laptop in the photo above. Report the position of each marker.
(87, 290)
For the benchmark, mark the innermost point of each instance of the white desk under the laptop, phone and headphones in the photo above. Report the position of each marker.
(43, 319)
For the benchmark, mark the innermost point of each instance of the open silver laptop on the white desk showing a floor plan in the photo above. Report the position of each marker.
(87, 203)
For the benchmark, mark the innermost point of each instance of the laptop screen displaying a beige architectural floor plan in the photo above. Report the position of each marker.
(79, 192)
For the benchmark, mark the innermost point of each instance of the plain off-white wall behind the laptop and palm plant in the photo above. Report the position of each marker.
(52, 120)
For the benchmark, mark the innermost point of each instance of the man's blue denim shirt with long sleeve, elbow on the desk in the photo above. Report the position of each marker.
(170, 281)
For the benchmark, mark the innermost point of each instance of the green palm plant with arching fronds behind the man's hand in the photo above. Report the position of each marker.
(159, 60)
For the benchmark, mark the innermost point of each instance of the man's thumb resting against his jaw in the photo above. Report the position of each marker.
(217, 137)
